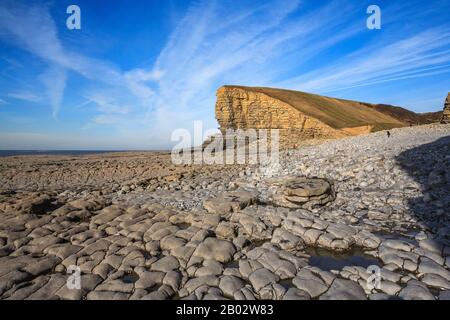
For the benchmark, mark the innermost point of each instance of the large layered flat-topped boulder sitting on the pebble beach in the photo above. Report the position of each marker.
(300, 192)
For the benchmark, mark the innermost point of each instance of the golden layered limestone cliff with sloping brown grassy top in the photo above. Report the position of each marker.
(298, 116)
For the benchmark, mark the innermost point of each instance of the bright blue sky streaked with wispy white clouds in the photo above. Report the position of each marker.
(137, 70)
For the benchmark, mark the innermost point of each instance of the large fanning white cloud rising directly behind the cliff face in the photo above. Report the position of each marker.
(212, 46)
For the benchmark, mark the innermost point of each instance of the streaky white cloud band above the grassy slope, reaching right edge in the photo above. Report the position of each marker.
(416, 56)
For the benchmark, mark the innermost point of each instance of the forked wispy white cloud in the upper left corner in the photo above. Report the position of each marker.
(36, 20)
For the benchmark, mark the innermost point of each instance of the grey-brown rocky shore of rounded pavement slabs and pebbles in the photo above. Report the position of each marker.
(138, 227)
